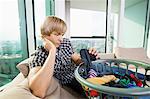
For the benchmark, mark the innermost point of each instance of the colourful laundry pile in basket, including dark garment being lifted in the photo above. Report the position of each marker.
(108, 74)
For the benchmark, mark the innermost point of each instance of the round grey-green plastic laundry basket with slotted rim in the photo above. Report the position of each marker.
(123, 66)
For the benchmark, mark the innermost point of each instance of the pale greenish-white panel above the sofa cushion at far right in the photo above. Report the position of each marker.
(133, 34)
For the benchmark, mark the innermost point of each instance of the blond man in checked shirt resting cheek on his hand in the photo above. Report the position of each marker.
(56, 58)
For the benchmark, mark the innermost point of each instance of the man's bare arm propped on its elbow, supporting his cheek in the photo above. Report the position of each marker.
(40, 78)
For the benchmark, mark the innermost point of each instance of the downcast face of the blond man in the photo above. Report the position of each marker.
(56, 38)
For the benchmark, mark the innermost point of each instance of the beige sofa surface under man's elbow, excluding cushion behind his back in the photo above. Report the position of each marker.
(18, 89)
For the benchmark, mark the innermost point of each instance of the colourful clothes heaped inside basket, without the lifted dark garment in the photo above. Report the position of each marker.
(113, 76)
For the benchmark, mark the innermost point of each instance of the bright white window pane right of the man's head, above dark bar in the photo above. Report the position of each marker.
(87, 23)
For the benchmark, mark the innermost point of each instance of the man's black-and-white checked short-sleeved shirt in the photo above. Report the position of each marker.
(64, 67)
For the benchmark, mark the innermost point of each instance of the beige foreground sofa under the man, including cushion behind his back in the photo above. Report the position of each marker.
(18, 88)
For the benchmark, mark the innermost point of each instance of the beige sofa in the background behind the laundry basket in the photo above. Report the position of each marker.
(138, 54)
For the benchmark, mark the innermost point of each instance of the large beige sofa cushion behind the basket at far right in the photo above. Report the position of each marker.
(130, 53)
